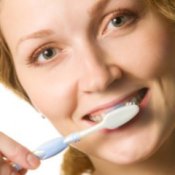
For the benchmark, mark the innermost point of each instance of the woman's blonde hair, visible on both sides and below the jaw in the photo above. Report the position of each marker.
(75, 162)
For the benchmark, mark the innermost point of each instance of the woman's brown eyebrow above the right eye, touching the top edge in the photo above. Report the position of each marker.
(98, 7)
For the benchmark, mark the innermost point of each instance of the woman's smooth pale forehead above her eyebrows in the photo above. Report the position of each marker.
(32, 11)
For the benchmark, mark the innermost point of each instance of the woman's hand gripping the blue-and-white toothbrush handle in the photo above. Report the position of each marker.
(10, 152)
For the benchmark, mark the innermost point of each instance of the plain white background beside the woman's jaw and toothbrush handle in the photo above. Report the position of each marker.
(21, 122)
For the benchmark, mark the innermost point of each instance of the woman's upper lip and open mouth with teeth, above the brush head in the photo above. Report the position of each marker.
(98, 115)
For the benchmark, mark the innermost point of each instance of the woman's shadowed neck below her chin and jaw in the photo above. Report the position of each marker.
(161, 163)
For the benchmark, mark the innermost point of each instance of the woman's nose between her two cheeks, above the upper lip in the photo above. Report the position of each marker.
(98, 74)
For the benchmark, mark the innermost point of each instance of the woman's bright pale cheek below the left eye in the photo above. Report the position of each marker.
(52, 95)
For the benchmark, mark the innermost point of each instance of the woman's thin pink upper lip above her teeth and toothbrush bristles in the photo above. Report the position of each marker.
(113, 103)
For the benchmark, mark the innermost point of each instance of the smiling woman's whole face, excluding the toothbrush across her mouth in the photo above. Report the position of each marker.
(81, 58)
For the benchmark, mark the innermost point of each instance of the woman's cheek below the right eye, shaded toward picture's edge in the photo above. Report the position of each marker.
(146, 53)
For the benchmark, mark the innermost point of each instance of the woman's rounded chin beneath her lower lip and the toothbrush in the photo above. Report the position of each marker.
(129, 153)
